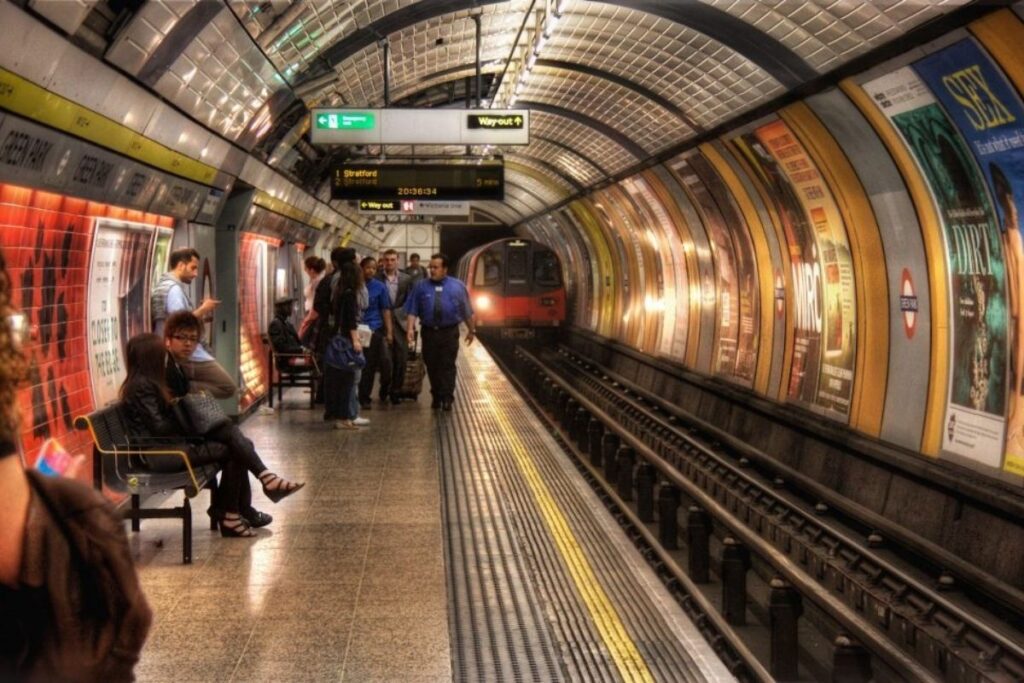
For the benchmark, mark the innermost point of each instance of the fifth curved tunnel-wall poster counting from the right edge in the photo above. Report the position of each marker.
(745, 264)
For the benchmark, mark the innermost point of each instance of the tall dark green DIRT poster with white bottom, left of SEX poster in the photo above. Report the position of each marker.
(976, 404)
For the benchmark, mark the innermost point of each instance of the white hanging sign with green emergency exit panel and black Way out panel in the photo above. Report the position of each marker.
(412, 126)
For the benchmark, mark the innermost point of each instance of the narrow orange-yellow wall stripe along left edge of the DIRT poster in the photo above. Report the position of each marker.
(938, 279)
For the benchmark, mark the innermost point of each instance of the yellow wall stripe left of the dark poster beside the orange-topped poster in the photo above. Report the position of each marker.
(766, 271)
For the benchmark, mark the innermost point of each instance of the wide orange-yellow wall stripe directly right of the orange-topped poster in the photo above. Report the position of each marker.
(871, 279)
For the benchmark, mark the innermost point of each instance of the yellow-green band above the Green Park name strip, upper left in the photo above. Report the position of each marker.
(36, 104)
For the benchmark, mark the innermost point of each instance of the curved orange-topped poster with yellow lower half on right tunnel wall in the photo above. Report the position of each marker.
(837, 306)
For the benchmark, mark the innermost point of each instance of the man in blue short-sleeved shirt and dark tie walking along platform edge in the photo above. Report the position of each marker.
(441, 304)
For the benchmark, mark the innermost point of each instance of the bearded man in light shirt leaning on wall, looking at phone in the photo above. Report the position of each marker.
(169, 297)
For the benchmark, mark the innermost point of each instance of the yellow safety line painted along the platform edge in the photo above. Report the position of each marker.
(631, 664)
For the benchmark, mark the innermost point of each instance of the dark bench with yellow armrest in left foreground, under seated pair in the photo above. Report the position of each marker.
(117, 464)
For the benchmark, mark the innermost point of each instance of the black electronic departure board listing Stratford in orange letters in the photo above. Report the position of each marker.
(415, 182)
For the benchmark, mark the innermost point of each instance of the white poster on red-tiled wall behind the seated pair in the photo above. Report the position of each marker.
(119, 291)
